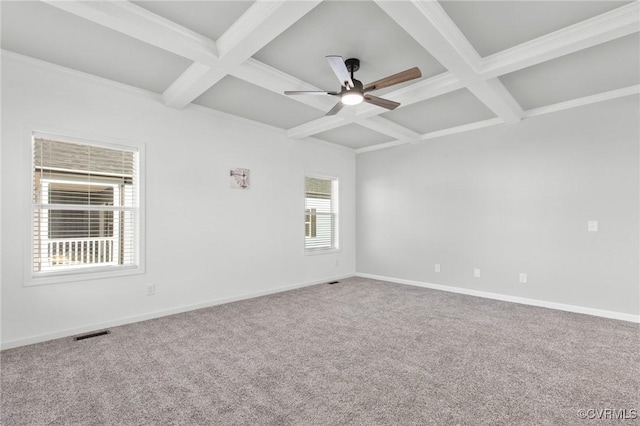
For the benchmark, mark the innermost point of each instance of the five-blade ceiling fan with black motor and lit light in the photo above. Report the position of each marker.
(352, 91)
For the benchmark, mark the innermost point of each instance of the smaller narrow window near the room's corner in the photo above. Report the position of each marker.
(320, 214)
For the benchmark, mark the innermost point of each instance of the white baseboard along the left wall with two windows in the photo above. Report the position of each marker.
(157, 314)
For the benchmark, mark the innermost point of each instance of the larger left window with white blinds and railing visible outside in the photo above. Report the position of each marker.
(85, 207)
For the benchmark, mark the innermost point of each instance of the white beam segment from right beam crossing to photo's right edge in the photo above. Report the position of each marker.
(614, 24)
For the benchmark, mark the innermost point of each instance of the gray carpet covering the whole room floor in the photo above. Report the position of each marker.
(361, 352)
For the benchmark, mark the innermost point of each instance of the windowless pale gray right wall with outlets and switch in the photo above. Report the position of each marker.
(512, 199)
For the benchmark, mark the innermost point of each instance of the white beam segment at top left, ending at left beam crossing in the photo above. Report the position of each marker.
(141, 24)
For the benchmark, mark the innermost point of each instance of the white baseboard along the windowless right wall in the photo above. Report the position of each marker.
(506, 298)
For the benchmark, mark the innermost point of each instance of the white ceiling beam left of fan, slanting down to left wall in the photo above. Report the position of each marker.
(261, 23)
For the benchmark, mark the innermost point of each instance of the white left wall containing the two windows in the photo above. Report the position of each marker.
(205, 242)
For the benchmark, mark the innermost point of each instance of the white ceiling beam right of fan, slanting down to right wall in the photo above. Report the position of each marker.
(432, 28)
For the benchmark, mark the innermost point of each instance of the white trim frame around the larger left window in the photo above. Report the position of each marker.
(32, 132)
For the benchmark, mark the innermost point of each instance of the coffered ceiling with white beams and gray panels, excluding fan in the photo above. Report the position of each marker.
(483, 63)
